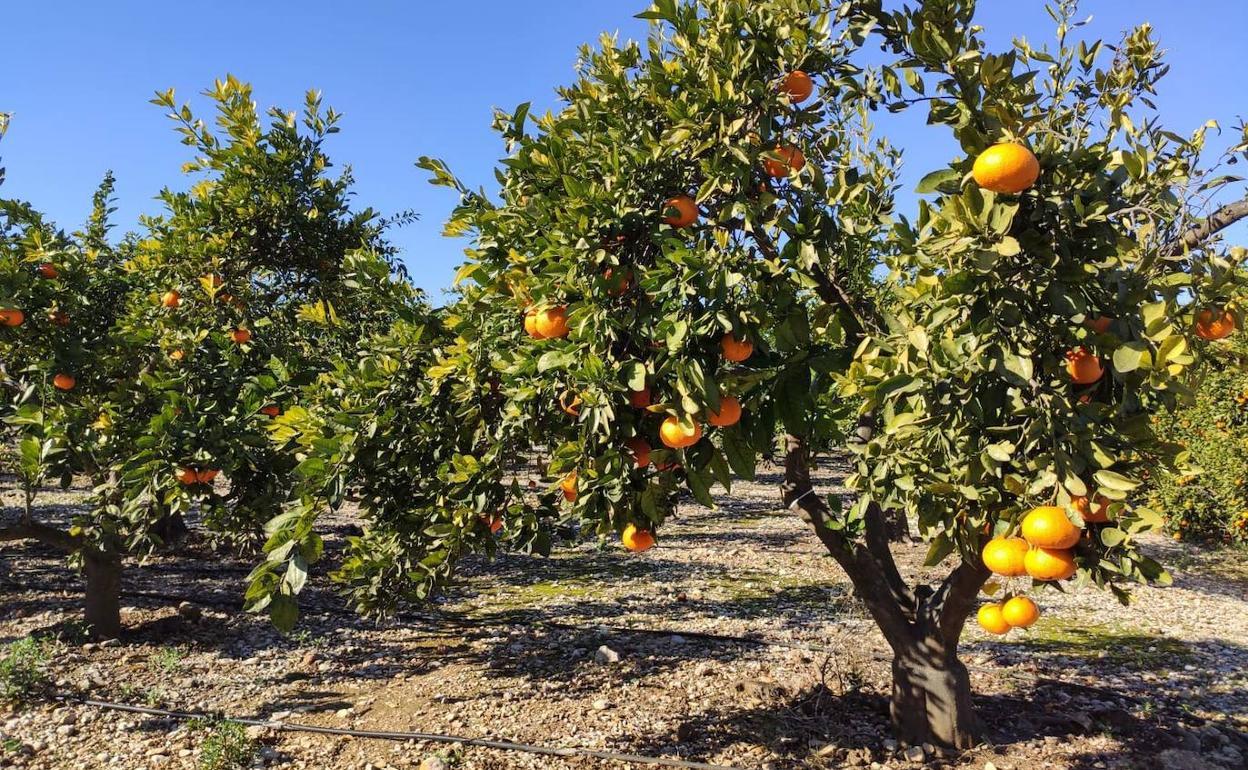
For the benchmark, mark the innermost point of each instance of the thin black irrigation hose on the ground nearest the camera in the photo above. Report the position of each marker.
(504, 746)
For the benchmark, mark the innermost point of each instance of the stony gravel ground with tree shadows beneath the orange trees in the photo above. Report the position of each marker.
(540, 652)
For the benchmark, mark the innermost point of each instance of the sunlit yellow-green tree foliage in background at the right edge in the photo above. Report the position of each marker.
(1210, 500)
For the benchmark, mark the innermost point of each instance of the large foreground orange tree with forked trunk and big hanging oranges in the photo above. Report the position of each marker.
(678, 271)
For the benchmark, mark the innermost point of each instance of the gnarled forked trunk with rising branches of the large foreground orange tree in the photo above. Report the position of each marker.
(932, 691)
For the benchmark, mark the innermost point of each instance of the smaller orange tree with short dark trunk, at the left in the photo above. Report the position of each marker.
(155, 368)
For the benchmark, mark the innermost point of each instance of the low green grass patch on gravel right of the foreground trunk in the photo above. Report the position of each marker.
(1121, 647)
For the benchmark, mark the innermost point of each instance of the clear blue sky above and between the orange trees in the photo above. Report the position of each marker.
(415, 78)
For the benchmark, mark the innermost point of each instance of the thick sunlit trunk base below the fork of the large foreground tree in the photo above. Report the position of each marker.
(932, 697)
